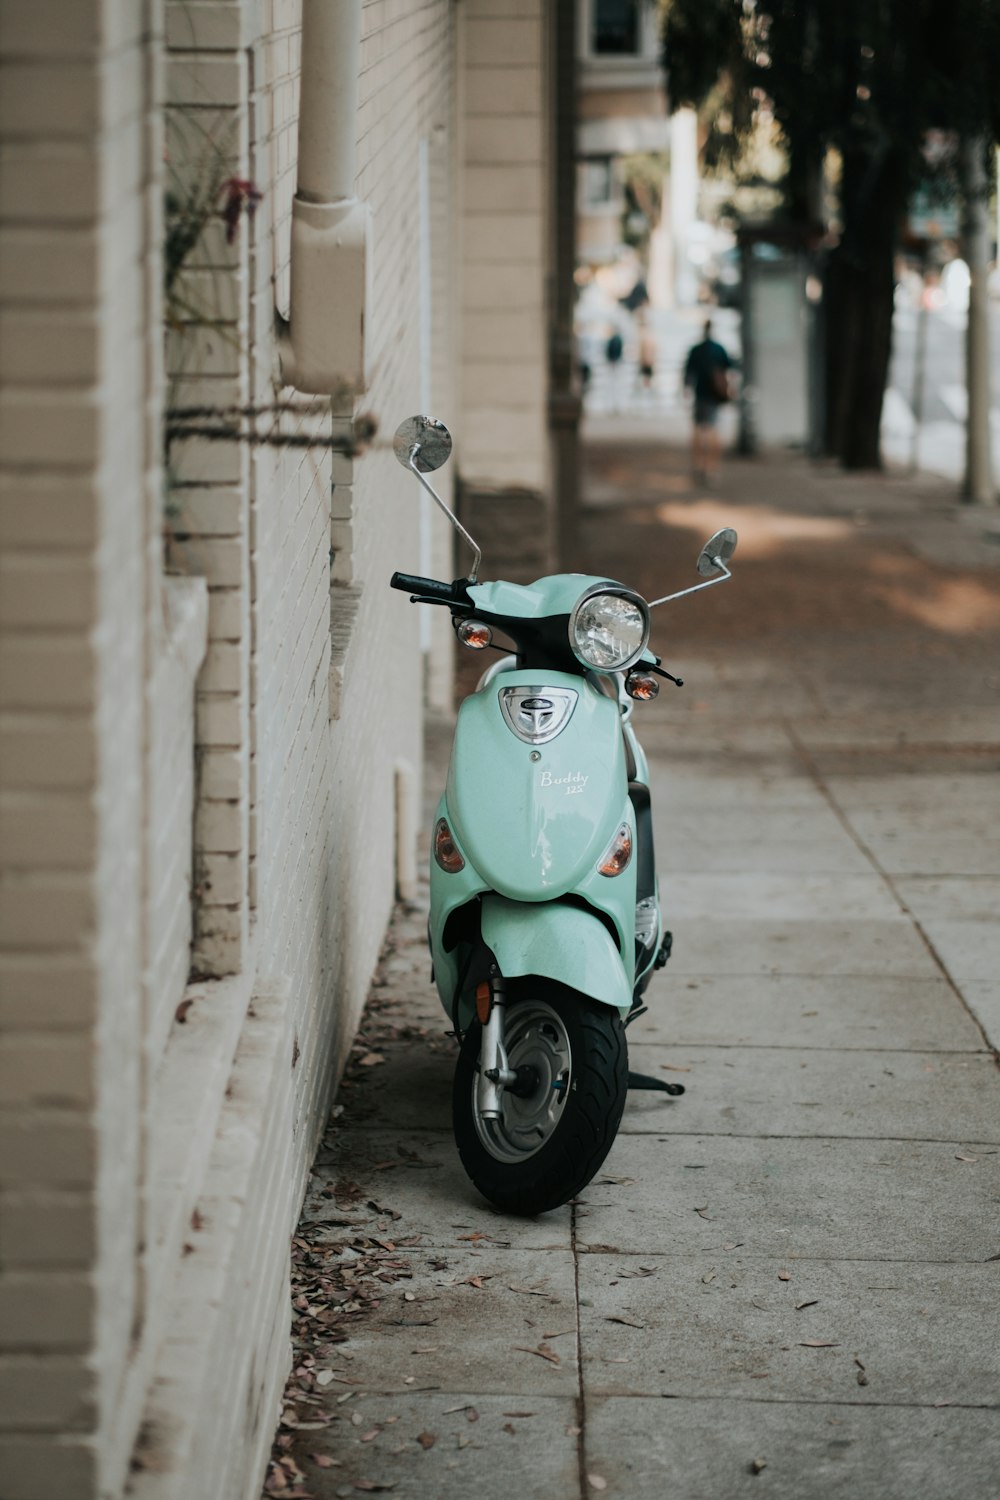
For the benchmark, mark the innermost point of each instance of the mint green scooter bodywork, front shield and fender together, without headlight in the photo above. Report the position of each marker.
(531, 833)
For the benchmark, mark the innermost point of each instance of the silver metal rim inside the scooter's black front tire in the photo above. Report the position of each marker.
(536, 1039)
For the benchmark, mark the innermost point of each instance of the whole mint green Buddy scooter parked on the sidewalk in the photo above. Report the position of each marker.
(545, 914)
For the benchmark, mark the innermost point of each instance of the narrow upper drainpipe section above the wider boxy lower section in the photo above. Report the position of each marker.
(329, 100)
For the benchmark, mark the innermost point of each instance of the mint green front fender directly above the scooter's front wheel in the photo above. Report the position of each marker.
(557, 941)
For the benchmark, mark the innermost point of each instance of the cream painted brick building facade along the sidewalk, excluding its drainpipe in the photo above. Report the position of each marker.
(212, 703)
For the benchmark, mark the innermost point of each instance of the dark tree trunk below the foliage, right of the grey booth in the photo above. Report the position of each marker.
(860, 292)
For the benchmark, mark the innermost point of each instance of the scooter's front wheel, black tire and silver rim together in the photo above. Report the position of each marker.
(542, 1153)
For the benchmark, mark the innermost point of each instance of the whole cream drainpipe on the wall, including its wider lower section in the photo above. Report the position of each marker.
(322, 346)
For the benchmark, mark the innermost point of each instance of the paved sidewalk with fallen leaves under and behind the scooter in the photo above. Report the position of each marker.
(786, 1282)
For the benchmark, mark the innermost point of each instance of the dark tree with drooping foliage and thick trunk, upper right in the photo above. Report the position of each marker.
(869, 80)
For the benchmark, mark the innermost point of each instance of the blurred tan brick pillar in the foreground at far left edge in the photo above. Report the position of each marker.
(83, 637)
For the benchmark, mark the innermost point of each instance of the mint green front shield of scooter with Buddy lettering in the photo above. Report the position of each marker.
(534, 817)
